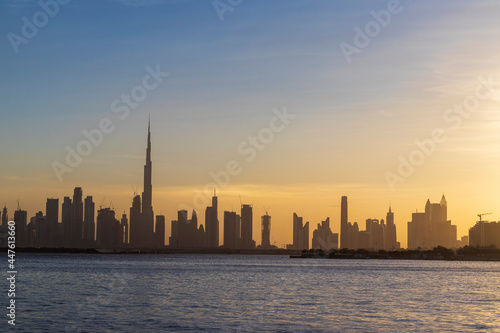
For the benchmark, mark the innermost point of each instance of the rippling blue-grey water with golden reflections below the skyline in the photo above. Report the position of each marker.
(213, 293)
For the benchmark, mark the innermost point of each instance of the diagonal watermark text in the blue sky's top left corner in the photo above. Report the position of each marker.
(31, 27)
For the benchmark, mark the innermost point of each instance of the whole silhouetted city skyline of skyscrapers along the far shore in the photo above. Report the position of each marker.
(79, 228)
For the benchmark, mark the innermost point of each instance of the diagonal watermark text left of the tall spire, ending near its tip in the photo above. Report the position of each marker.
(95, 136)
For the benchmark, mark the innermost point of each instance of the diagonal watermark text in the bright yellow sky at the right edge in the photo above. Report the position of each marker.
(454, 118)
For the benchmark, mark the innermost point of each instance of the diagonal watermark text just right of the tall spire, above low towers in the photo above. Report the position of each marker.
(248, 149)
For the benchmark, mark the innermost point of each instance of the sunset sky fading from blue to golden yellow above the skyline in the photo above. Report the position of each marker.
(386, 102)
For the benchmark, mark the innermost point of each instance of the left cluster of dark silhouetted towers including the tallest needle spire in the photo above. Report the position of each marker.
(80, 228)
